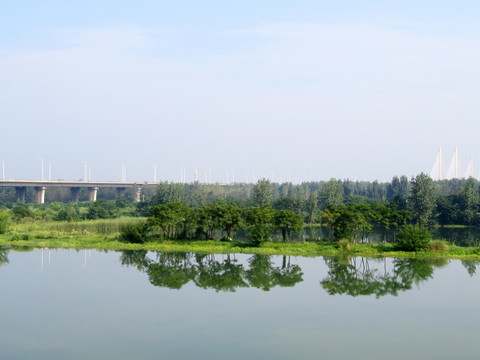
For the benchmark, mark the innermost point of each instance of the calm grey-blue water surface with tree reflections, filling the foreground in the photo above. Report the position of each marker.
(67, 304)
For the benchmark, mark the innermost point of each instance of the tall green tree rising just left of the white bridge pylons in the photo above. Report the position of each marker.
(422, 200)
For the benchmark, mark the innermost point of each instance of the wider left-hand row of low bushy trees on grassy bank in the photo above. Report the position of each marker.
(175, 220)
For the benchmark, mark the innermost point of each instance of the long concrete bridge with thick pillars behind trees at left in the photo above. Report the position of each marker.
(41, 186)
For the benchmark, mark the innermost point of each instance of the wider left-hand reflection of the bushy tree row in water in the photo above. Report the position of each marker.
(174, 270)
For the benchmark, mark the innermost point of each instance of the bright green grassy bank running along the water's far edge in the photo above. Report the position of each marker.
(103, 234)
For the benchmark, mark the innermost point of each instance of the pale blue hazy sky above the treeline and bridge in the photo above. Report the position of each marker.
(290, 91)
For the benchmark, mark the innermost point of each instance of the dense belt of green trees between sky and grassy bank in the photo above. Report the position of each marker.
(349, 209)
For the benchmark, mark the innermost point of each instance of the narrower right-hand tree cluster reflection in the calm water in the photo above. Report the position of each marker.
(353, 276)
